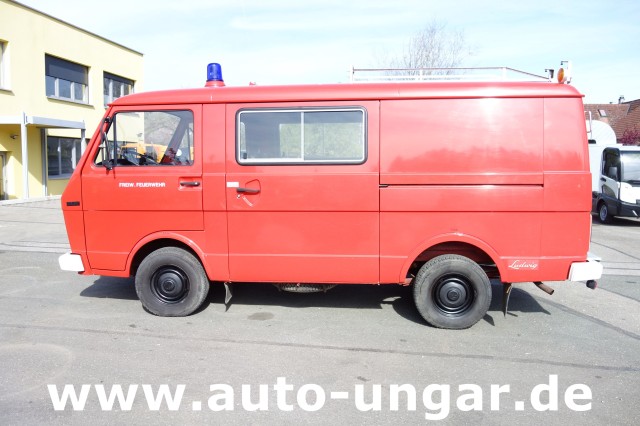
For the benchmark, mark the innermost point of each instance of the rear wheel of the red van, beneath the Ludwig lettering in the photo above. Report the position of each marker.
(452, 291)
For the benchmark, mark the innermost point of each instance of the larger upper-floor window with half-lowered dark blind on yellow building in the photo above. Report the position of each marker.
(66, 80)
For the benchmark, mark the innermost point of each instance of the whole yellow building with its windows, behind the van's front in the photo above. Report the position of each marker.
(55, 81)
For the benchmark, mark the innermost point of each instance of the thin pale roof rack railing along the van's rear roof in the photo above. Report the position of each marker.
(364, 75)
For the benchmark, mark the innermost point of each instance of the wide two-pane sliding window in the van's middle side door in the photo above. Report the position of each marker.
(326, 136)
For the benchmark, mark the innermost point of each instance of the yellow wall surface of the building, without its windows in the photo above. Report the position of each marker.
(28, 36)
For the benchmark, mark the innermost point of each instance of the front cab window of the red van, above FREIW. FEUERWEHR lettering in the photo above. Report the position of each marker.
(148, 138)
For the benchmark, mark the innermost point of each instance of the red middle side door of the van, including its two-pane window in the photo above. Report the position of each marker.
(302, 192)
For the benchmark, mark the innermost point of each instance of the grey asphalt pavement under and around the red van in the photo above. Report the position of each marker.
(319, 358)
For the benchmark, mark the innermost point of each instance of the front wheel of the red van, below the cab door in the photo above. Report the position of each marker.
(171, 282)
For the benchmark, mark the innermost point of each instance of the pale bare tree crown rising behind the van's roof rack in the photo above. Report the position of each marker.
(435, 46)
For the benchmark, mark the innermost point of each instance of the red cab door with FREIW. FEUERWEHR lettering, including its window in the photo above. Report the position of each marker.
(142, 179)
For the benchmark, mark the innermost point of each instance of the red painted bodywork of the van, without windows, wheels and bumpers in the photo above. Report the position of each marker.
(498, 171)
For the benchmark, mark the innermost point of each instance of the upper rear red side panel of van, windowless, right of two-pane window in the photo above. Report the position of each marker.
(470, 141)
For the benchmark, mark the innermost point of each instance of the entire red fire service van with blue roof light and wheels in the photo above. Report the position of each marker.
(441, 185)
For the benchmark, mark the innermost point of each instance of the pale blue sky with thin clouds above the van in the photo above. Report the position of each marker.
(289, 41)
